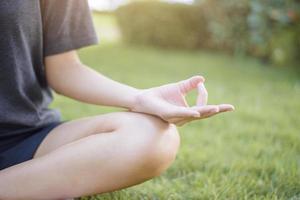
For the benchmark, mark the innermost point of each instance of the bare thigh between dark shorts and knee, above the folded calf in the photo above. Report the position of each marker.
(76, 129)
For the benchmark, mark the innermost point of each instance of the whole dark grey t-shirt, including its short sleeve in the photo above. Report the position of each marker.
(29, 31)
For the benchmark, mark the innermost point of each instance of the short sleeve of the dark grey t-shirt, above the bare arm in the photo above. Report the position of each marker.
(67, 25)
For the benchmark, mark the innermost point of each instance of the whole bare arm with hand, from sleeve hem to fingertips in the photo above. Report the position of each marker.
(68, 76)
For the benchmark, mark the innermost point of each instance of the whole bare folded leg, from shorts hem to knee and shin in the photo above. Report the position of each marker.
(93, 155)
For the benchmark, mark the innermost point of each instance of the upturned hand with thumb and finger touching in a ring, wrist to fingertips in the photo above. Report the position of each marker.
(169, 103)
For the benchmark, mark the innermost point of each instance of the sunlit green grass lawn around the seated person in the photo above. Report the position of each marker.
(252, 153)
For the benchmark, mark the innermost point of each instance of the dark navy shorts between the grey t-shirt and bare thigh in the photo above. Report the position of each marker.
(25, 149)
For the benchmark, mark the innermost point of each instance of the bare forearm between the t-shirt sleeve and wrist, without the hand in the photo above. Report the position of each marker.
(87, 85)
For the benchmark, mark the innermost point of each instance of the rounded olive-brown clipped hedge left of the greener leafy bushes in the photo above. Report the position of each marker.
(162, 24)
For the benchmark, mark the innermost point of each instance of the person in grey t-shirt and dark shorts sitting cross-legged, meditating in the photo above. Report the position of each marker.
(42, 157)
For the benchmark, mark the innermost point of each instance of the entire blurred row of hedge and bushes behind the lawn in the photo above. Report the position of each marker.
(267, 29)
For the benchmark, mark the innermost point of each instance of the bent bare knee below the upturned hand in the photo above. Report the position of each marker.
(156, 140)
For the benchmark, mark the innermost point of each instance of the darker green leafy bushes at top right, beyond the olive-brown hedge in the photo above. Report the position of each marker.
(267, 29)
